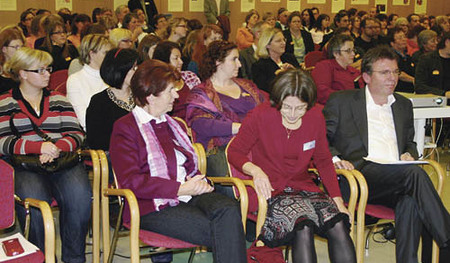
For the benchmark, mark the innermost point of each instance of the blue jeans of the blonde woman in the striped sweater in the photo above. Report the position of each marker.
(72, 191)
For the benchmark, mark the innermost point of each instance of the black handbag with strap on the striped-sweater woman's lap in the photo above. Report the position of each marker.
(32, 163)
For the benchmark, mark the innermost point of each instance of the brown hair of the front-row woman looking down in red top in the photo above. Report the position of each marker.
(293, 82)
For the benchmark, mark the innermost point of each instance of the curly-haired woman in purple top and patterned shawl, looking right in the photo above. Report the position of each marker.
(217, 107)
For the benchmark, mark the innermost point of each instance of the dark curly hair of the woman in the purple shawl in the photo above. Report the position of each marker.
(217, 52)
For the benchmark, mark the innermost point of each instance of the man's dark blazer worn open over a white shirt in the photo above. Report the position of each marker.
(346, 119)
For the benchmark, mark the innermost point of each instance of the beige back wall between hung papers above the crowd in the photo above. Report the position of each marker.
(434, 7)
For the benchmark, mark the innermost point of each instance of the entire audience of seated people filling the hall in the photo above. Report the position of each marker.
(131, 70)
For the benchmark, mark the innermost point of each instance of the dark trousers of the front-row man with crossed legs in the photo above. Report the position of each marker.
(408, 190)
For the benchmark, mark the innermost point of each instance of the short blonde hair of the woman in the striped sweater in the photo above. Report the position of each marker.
(26, 58)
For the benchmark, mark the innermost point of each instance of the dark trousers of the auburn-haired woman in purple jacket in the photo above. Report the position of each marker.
(211, 220)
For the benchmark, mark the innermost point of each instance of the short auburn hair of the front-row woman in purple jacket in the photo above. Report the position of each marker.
(151, 78)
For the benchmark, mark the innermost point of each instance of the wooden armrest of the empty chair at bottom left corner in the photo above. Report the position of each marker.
(49, 226)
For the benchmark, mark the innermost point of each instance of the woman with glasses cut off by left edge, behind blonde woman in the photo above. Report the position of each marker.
(11, 39)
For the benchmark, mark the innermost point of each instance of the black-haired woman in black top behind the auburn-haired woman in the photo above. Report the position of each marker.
(113, 102)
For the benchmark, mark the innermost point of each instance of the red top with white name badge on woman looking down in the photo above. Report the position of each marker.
(285, 160)
